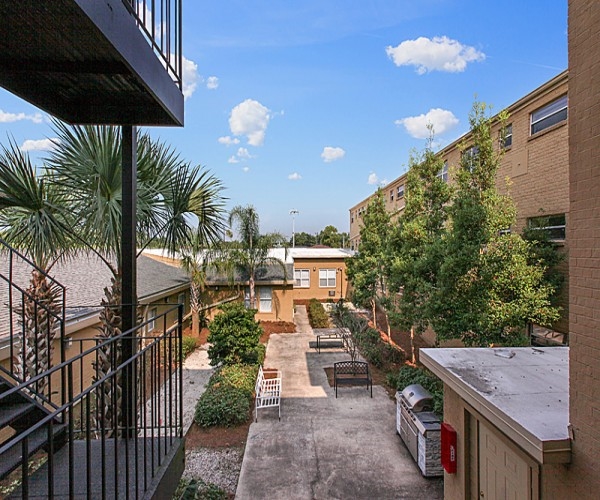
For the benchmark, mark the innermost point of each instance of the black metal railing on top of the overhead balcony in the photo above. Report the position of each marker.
(161, 23)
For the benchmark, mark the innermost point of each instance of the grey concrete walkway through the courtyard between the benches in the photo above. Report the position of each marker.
(326, 448)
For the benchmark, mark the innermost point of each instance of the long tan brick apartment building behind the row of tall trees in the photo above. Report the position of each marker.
(536, 160)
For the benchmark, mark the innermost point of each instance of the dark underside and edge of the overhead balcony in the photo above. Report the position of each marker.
(85, 61)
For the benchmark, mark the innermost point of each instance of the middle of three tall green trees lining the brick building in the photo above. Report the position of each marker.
(416, 240)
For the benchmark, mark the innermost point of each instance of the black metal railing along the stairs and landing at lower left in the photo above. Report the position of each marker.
(93, 448)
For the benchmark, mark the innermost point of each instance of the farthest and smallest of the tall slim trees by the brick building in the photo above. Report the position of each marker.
(366, 269)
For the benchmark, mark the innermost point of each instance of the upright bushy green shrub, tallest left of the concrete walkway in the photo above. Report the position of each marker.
(234, 335)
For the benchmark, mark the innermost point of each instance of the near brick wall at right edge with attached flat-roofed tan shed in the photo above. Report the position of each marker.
(526, 419)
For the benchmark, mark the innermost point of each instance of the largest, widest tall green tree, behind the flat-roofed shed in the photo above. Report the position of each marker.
(487, 289)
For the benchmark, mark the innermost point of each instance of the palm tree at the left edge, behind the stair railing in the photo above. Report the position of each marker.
(33, 221)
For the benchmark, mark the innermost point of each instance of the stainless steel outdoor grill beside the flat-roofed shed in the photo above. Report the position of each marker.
(419, 428)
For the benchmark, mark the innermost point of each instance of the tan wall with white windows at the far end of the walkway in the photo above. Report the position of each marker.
(315, 291)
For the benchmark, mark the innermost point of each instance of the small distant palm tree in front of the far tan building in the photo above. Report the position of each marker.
(251, 252)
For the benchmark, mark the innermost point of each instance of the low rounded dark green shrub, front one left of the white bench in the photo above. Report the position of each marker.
(223, 404)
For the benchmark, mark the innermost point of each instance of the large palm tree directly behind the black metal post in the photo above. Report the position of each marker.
(171, 196)
